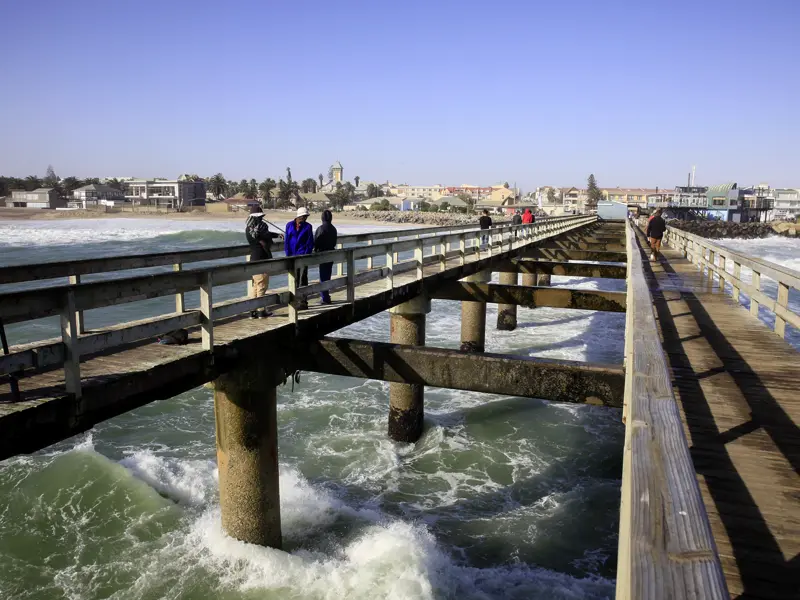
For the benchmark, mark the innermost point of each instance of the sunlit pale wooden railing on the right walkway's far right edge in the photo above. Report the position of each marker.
(715, 258)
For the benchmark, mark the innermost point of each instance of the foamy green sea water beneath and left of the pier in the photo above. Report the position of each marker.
(501, 498)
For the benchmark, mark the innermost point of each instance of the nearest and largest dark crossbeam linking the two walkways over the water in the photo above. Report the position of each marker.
(556, 380)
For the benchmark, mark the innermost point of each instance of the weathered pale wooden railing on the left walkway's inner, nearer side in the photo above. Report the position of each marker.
(68, 301)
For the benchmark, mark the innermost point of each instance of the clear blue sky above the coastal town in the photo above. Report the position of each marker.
(412, 91)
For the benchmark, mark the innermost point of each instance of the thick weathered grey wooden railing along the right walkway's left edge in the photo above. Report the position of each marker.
(666, 547)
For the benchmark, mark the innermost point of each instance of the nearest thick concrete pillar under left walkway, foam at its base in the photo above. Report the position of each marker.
(245, 407)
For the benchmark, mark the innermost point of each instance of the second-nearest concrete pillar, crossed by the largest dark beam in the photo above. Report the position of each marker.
(406, 401)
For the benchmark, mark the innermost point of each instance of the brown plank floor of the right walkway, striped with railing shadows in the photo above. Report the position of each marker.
(737, 386)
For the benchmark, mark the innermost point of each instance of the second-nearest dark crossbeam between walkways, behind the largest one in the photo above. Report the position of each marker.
(532, 297)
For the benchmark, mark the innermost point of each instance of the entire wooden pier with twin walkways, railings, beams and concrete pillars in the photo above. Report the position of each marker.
(710, 499)
